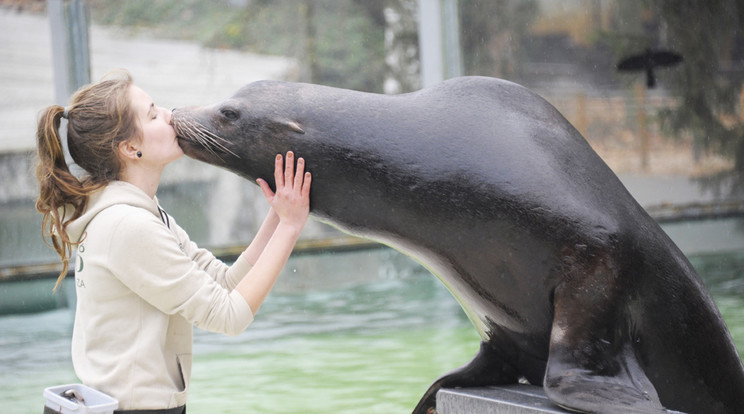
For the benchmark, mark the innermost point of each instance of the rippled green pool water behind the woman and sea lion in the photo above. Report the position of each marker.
(322, 343)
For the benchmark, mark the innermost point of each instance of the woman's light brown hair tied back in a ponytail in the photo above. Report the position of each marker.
(99, 117)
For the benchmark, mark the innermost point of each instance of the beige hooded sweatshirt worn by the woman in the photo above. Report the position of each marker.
(141, 284)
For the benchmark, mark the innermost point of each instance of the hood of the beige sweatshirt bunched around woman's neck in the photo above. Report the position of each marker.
(116, 192)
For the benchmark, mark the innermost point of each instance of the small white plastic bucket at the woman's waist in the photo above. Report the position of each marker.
(95, 402)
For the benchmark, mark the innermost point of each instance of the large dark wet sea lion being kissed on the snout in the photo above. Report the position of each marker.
(566, 278)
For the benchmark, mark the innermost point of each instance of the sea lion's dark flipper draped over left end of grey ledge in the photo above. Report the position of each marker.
(486, 368)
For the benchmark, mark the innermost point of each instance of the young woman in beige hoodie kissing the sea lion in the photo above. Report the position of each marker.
(141, 284)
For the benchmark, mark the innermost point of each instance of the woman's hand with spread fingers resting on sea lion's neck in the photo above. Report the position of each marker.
(291, 202)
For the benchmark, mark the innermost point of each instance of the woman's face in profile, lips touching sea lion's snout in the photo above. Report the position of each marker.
(159, 144)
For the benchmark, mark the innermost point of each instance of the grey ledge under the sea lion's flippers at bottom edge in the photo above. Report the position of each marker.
(509, 399)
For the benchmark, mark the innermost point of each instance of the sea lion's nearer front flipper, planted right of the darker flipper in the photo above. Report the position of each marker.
(592, 366)
